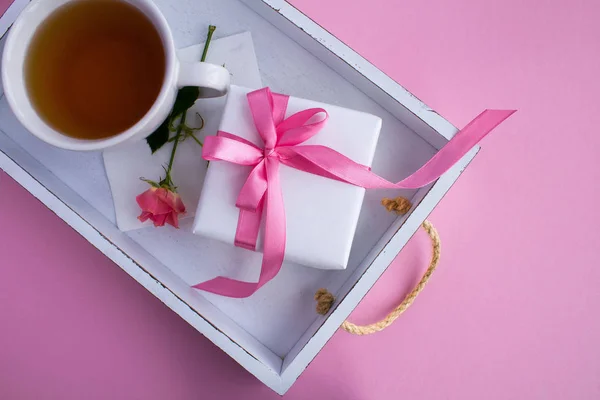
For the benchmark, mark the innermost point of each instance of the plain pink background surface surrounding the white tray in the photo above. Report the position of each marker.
(512, 311)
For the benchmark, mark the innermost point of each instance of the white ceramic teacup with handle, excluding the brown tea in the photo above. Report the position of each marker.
(213, 80)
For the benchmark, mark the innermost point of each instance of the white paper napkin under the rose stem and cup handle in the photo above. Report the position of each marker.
(125, 165)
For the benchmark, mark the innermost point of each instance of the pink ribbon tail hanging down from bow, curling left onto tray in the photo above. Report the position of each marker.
(274, 249)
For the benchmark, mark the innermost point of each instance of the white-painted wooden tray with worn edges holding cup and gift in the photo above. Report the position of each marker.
(275, 333)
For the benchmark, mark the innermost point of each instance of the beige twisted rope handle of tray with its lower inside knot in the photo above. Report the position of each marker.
(325, 299)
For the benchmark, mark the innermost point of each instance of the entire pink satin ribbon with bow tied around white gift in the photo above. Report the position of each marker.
(282, 137)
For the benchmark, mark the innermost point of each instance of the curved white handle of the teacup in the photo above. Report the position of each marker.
(213, 80)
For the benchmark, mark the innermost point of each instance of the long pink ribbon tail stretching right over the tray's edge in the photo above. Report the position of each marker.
(324, 161)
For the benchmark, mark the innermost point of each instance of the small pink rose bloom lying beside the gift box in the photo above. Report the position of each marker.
(161, 206)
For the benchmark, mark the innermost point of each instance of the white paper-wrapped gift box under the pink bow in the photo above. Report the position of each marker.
(321, 214)
